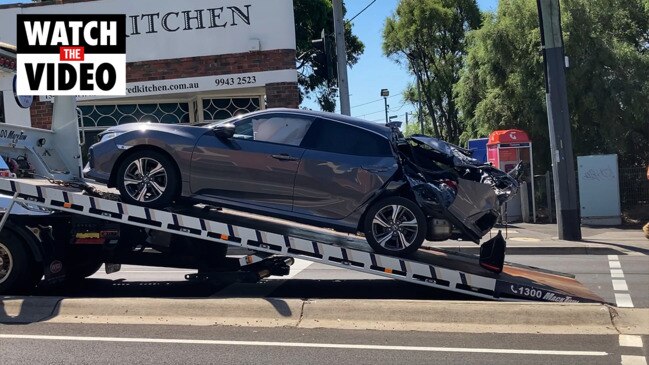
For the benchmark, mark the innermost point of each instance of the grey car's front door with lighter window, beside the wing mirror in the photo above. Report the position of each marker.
(257, 166)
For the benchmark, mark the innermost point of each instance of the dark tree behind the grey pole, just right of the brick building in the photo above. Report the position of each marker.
(311, 17)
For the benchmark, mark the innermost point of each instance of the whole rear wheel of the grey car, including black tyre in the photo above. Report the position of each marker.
(395, 226)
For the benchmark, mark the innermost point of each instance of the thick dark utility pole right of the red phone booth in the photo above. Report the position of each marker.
(563, 166)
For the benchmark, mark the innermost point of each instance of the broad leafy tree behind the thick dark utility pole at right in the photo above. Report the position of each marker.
(607, 42)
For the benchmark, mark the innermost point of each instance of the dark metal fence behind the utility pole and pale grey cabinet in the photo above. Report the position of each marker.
(634, 193)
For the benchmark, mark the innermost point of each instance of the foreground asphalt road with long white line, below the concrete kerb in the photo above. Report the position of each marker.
(127, 344)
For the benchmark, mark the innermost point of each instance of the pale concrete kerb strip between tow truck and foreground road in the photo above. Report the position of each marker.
(401, 315)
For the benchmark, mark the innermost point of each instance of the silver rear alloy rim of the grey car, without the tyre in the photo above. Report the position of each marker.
(395, 227)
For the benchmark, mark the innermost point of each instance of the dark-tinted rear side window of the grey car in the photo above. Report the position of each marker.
(328, 136)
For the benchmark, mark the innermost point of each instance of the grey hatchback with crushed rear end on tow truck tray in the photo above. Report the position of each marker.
(317, 168)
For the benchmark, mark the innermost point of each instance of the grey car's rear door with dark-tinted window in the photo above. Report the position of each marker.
(342, 167)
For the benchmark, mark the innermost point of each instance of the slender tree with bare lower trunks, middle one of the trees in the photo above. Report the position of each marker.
(428, 36)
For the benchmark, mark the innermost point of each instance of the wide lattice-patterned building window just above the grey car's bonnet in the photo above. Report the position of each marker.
(103, 116)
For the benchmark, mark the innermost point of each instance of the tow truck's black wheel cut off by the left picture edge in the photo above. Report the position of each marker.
(16, 265)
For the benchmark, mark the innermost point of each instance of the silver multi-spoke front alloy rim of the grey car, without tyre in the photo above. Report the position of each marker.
(145, 180)
